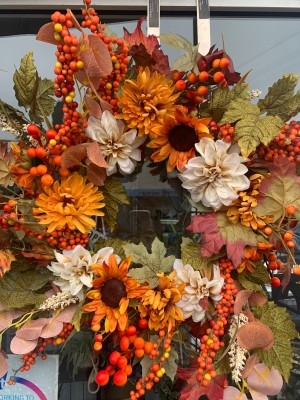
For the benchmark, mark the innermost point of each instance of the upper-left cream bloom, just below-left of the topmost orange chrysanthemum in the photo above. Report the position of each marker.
(119, 148)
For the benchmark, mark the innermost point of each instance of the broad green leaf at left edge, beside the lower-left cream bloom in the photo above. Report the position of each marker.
(18, 289)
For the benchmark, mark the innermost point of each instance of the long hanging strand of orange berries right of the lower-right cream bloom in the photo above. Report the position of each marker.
(211, 343)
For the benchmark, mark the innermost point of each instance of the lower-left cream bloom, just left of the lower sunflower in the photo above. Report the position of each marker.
(74, 268)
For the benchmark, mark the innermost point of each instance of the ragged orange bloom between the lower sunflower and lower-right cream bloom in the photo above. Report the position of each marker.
(160, 303)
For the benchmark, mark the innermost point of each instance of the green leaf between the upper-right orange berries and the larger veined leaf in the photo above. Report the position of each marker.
(221, 98)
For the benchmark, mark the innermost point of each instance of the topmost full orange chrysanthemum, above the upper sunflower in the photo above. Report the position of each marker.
(146, 100)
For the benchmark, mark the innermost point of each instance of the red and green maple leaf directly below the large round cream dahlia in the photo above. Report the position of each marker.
(218, 231)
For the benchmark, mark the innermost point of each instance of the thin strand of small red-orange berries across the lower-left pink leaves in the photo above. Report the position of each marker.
(39, 351)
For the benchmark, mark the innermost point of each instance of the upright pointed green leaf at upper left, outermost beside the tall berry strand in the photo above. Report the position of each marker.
(26, 81)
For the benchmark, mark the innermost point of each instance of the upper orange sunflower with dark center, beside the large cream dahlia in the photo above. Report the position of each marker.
(175, 138)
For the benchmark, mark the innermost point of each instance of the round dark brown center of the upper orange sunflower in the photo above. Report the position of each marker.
(183, 137)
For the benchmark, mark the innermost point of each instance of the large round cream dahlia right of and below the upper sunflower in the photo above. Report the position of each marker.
(215, 177)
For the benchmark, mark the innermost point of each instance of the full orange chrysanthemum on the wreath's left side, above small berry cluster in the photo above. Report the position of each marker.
(69, 203)
